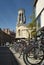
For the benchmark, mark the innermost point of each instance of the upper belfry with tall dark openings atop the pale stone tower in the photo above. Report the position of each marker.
(21, 17)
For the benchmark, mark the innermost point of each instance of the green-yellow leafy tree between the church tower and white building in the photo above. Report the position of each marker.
(32, 24)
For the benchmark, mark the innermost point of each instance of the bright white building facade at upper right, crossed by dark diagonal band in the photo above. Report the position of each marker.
(39, 12)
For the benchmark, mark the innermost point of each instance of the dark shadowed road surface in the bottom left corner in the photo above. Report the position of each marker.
(6, 57)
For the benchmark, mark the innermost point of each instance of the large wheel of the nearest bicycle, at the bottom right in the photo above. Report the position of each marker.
(31, 59)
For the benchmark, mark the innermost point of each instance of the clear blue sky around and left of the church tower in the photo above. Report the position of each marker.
(9, 12)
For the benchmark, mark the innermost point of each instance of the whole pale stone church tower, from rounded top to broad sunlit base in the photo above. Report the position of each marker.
(21, 29)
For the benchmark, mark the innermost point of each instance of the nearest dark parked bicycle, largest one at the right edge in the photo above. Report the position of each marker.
(34, 53)
